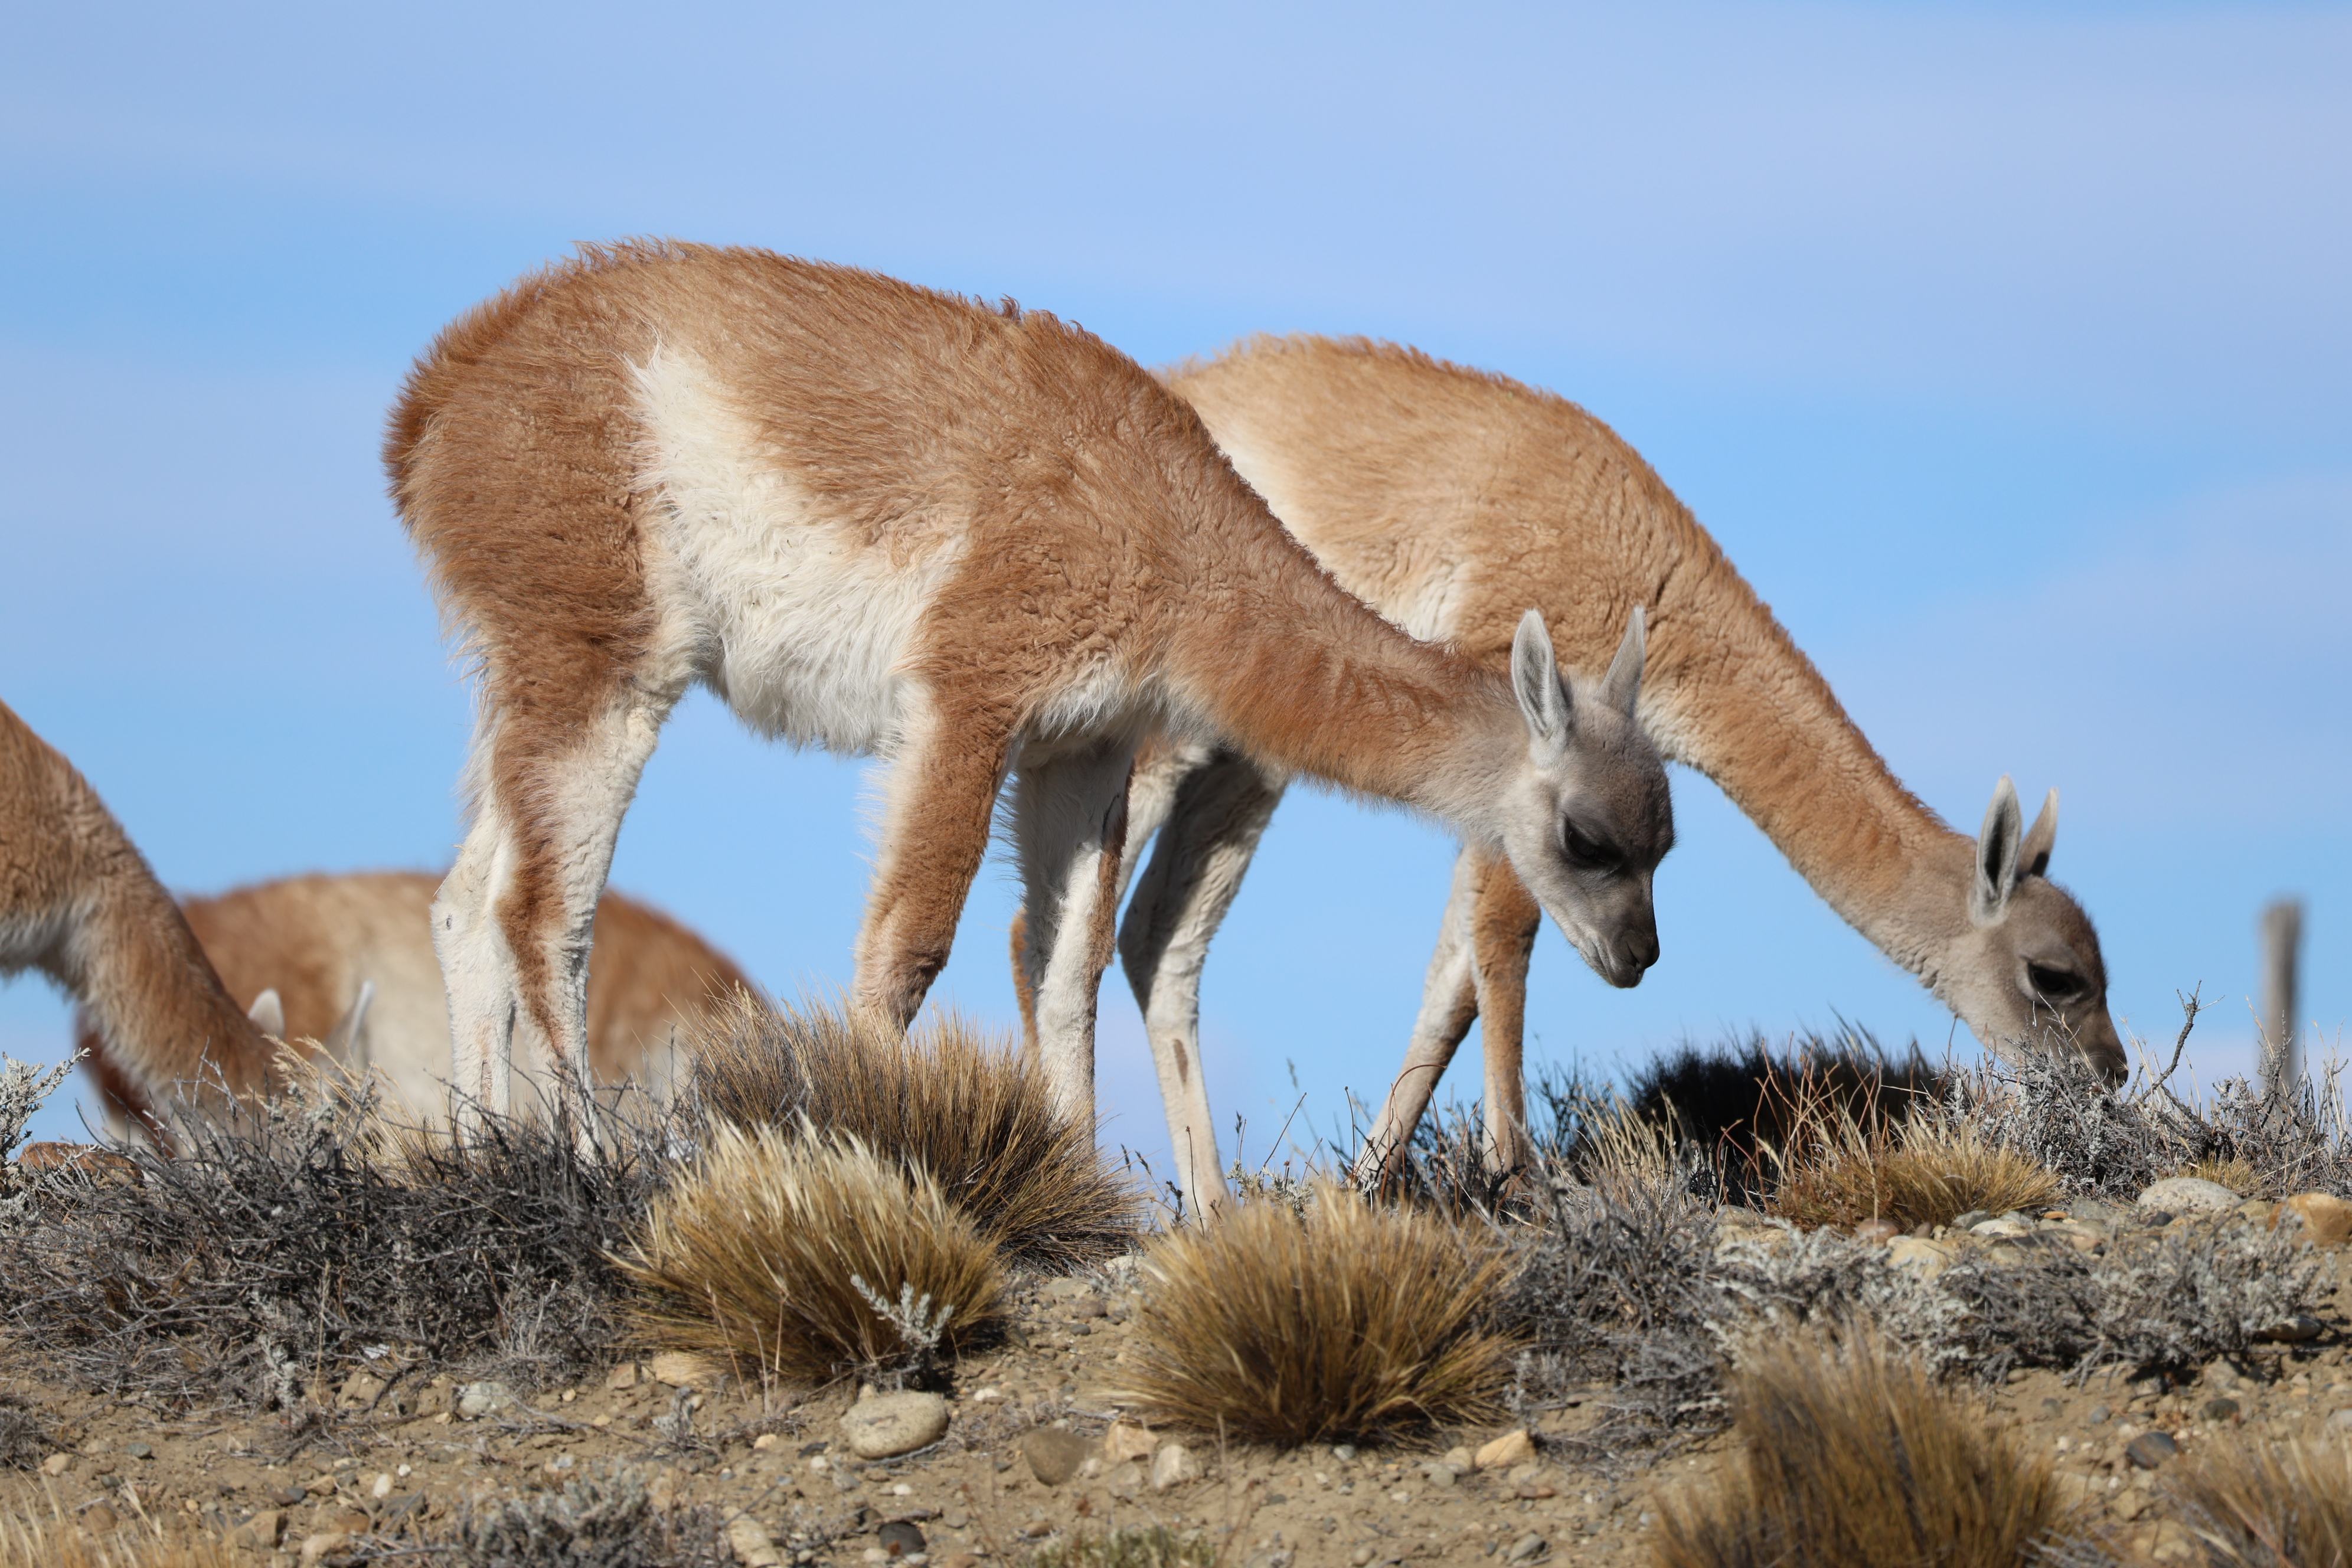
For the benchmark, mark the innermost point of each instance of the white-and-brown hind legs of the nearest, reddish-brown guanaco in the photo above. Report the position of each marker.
(514, 920)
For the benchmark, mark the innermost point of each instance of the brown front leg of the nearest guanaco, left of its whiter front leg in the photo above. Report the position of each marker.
(935, 836)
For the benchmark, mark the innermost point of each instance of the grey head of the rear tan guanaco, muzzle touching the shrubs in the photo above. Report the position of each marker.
(2029, 967)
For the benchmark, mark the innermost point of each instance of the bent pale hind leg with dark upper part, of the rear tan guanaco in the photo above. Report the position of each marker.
(1212, 829)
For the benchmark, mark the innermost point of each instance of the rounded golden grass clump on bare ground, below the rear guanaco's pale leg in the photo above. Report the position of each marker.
(1339, 1322)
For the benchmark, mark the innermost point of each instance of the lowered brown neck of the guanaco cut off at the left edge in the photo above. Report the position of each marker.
(159, 1010)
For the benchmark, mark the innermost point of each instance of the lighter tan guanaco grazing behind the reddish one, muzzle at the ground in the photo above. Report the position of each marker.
(1426, 488)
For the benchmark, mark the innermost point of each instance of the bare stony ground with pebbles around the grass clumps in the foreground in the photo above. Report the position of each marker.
(1027, 1447)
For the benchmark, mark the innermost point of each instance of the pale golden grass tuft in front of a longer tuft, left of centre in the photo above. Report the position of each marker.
(810, 1259)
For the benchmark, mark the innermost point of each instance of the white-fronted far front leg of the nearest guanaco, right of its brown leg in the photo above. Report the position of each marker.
(1069, 831)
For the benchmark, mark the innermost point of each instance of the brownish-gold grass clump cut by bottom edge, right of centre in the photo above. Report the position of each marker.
(1855, 1459)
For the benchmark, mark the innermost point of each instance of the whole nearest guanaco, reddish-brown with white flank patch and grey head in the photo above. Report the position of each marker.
(975, 542)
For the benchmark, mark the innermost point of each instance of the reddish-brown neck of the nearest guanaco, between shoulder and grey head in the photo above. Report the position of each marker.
(1269, 650)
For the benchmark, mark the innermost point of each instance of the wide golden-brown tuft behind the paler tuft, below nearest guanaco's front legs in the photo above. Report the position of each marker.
(947, 1101)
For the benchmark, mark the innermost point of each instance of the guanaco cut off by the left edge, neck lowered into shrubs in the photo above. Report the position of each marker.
(81, 906)
